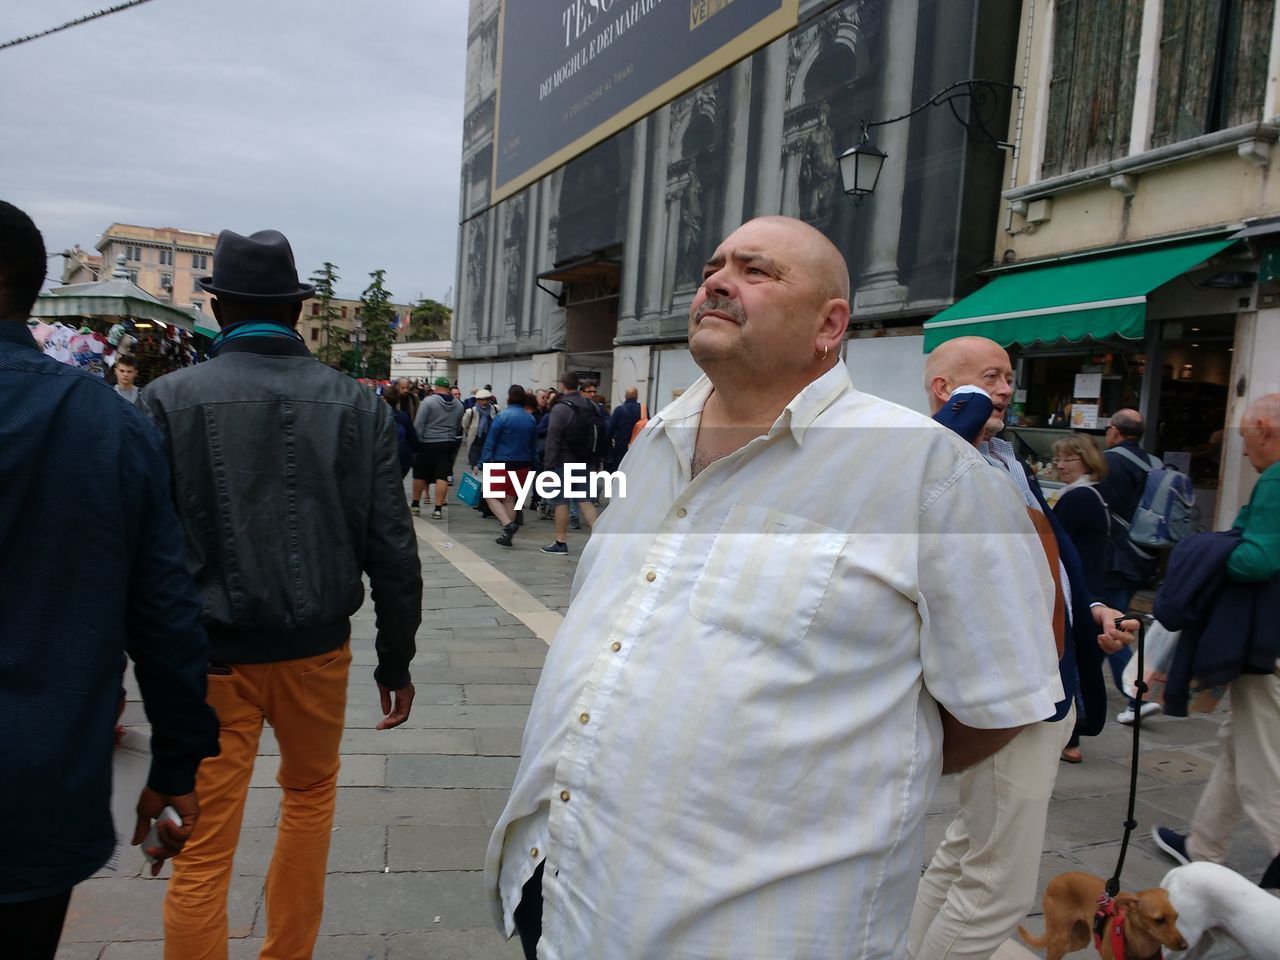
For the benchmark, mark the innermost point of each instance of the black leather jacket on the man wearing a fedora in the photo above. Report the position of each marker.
(289, 486)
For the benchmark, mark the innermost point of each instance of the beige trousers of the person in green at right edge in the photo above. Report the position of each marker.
(1246, 779)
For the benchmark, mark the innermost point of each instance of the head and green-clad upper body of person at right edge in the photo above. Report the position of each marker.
(1259, 555)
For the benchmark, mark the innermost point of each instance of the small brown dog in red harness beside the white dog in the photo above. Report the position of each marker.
(1072, 903)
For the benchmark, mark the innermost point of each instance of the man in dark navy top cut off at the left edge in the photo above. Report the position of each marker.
(92, 568)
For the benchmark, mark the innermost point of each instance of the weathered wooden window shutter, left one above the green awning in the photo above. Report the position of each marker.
(1091, 92)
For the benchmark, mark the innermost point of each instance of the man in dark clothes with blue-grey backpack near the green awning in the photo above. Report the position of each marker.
(1148, 504)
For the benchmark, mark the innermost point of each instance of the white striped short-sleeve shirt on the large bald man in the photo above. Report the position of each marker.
(735, 737)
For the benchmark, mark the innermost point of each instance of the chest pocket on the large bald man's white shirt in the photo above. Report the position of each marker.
(766, 575)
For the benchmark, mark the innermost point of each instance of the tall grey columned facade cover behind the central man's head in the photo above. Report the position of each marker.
(593, 267)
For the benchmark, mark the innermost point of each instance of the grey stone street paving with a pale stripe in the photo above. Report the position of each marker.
(417, 804)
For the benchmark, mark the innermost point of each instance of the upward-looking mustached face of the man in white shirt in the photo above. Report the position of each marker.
(757, 307)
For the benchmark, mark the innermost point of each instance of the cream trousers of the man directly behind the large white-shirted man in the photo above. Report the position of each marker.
(982, 879)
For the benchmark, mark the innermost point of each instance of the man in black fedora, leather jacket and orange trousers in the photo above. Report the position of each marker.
(289, 487)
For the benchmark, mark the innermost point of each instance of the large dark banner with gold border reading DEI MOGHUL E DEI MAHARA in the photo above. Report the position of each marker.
(575, 72)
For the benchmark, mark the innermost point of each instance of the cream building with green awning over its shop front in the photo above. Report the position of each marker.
(1137, 246)
